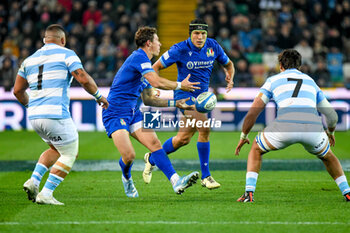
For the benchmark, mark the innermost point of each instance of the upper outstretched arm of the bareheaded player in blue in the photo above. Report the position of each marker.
(158, 82)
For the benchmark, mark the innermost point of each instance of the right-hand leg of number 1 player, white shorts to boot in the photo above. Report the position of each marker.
(65, 141)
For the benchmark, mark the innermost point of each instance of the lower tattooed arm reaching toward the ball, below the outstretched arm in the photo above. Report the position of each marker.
(150, 99)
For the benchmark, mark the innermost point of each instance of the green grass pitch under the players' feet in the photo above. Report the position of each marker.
(286, 201)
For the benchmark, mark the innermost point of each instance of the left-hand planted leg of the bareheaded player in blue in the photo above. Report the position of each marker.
(122, 141)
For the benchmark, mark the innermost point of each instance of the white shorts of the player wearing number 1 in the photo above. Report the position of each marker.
(56, 131)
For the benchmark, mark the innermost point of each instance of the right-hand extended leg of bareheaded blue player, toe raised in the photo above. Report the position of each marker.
(150, 140)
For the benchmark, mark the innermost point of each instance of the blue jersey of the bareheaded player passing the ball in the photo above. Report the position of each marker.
(129, 82)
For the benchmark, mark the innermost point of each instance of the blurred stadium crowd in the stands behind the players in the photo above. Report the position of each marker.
(252, 32)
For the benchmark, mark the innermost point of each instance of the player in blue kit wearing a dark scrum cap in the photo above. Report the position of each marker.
(194, 56)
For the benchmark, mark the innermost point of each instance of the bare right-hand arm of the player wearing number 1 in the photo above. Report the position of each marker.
(90, 86)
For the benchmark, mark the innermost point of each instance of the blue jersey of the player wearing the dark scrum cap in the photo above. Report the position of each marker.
(197, 62)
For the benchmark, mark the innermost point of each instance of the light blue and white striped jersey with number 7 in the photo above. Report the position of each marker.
(296, 95)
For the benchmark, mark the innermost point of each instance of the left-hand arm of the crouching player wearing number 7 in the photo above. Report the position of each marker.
(257, 107)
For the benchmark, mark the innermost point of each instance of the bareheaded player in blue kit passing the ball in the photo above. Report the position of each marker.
(123, 117)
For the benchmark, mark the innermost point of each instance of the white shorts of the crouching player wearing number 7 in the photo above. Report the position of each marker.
(281, 134)
